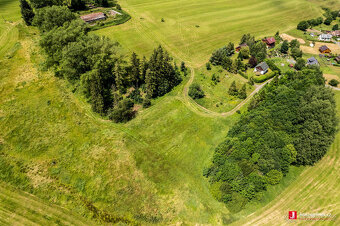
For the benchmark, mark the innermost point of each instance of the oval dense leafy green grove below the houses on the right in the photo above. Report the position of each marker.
(291, 121)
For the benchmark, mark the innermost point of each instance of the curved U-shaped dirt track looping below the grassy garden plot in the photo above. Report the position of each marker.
(199, 109)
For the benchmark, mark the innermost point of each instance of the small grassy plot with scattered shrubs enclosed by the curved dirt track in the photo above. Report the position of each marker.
(216, 94)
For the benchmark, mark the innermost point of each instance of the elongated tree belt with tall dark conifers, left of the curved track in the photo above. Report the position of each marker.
(93, 65)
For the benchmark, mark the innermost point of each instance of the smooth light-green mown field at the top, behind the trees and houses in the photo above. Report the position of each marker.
(220, 21)
